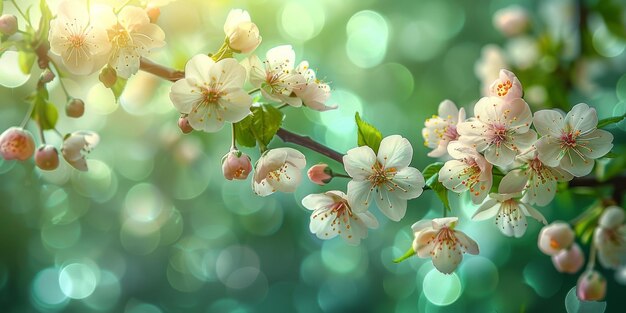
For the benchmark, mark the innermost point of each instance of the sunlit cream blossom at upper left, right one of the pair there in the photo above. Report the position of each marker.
(132, 37)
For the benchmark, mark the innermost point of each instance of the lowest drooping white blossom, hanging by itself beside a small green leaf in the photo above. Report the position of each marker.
(438, 239)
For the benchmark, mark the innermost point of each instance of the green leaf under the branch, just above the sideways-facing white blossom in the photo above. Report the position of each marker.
(260, 126)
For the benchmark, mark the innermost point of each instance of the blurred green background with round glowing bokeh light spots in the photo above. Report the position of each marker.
(153, 226)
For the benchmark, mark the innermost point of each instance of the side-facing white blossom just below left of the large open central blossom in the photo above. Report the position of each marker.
(332, 216)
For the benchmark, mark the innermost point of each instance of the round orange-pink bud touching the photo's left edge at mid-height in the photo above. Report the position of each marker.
(16, 143)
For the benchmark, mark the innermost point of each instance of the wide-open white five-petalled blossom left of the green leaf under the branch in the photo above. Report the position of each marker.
(211, 93)
